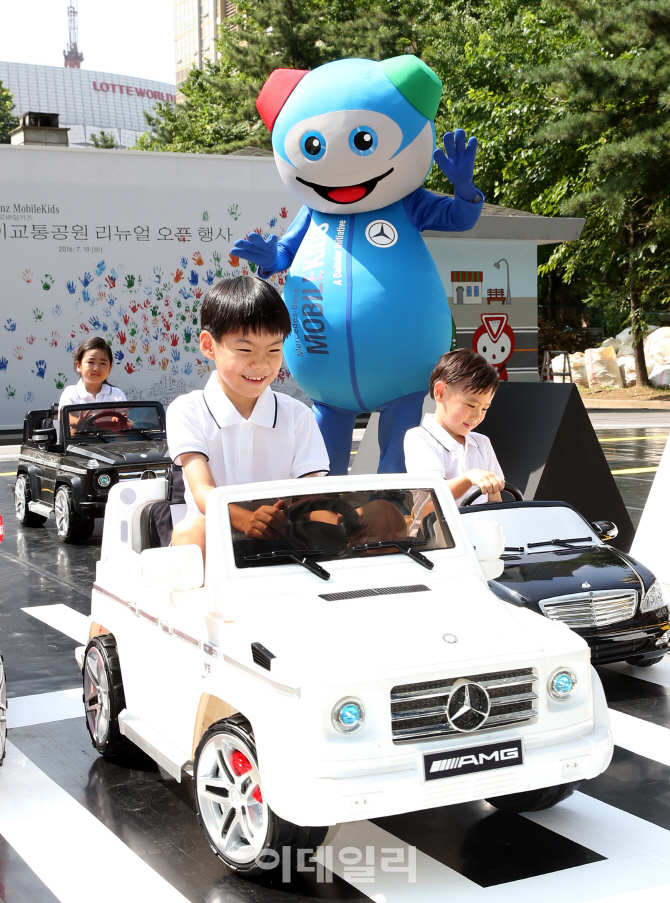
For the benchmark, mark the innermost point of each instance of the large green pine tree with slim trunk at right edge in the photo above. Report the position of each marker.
(614, 96)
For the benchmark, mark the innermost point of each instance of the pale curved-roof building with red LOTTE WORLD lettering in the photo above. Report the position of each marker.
(87, 101)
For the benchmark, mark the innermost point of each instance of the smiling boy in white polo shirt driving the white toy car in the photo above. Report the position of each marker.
(238, 430)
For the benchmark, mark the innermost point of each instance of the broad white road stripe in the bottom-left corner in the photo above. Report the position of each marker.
(66, 846)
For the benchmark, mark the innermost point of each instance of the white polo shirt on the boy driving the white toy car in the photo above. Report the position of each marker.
(279, 441)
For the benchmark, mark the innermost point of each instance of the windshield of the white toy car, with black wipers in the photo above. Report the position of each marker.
(338, 525)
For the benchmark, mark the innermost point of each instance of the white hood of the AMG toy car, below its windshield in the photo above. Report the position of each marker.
(376, 635)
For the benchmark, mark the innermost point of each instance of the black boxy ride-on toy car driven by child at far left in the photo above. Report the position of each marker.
(70, 459)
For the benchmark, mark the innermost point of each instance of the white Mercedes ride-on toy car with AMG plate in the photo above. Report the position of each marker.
(358, 666)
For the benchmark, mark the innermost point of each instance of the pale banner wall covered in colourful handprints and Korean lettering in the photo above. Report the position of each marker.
(134, 272)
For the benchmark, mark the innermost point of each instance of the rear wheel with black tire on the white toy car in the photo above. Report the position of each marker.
(104, 699)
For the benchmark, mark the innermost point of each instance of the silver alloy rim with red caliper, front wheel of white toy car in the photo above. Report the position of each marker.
(230, 798)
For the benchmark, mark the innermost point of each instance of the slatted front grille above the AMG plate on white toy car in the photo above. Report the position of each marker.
(418, 711)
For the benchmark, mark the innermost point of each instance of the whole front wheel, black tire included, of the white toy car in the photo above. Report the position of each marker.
(270, 833)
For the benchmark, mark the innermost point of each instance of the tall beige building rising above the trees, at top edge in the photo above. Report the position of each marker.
(197, 24)
